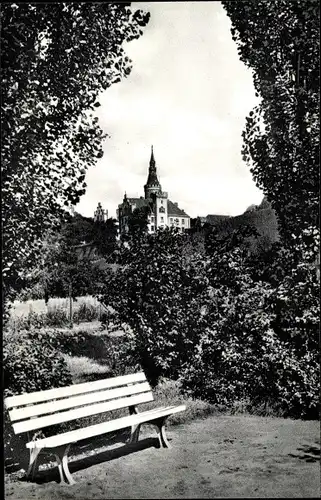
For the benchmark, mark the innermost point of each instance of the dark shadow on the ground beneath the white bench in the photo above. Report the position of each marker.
(46, 476)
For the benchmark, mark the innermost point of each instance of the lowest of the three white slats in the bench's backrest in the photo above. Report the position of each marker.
(95, 409)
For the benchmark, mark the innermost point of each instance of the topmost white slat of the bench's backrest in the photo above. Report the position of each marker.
(62, 392)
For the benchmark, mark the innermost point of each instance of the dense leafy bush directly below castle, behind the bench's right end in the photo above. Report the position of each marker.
(154, 293)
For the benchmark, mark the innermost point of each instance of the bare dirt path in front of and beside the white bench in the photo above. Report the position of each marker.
(222, 456)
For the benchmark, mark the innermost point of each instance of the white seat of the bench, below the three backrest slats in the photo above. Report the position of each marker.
(105, 427)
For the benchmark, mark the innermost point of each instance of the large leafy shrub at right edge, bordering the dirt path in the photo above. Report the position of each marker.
(265, 351)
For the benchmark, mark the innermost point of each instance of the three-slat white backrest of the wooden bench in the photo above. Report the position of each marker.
(35, 410)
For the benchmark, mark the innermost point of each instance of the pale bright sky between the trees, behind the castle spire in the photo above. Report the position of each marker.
(187, 95)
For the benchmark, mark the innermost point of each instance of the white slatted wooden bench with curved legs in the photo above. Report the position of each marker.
(30, 412)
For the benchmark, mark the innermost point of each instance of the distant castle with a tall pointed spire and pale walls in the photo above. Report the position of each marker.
(162, 212)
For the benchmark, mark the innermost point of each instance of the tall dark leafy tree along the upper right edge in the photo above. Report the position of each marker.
(279, 41)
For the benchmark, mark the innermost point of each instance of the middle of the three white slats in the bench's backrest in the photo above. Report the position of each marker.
(74, 401)
